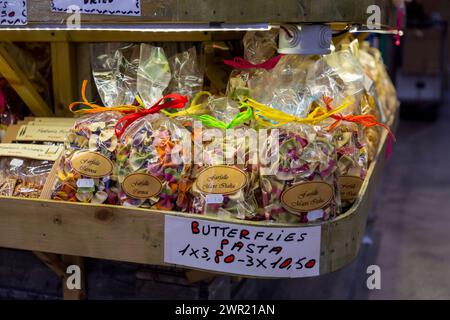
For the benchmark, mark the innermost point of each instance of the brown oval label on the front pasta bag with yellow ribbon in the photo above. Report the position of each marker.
(307, 196)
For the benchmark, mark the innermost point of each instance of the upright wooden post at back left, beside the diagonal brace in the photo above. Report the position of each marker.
(64, 76)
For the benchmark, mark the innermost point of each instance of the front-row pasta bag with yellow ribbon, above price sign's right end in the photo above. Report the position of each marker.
(298, 173)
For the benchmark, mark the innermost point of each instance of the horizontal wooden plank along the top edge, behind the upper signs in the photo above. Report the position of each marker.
(233, 11)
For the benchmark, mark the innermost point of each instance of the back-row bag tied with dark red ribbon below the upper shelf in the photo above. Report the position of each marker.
(260, 48)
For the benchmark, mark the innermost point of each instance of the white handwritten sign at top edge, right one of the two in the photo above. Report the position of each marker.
(110, 7)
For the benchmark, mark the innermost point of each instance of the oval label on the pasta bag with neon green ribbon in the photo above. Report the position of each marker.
(221, 180)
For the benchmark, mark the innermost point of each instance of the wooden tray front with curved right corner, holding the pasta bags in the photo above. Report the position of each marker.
(137, 235)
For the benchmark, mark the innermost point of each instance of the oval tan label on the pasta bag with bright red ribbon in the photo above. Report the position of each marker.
(141, 185)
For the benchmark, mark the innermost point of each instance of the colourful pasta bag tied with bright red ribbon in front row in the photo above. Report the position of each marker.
(153, 158)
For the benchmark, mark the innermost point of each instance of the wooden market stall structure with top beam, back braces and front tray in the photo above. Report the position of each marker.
(62, 233)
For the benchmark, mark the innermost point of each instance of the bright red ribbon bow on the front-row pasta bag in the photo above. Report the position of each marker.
(173, 100)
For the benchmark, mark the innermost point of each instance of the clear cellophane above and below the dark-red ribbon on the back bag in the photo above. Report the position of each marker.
(259, 46)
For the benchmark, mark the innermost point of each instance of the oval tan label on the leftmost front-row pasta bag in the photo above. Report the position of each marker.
(92, 164)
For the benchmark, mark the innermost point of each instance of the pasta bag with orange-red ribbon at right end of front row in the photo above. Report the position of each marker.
(342, 77)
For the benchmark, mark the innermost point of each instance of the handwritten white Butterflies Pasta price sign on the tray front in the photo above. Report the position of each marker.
(243, 250)
